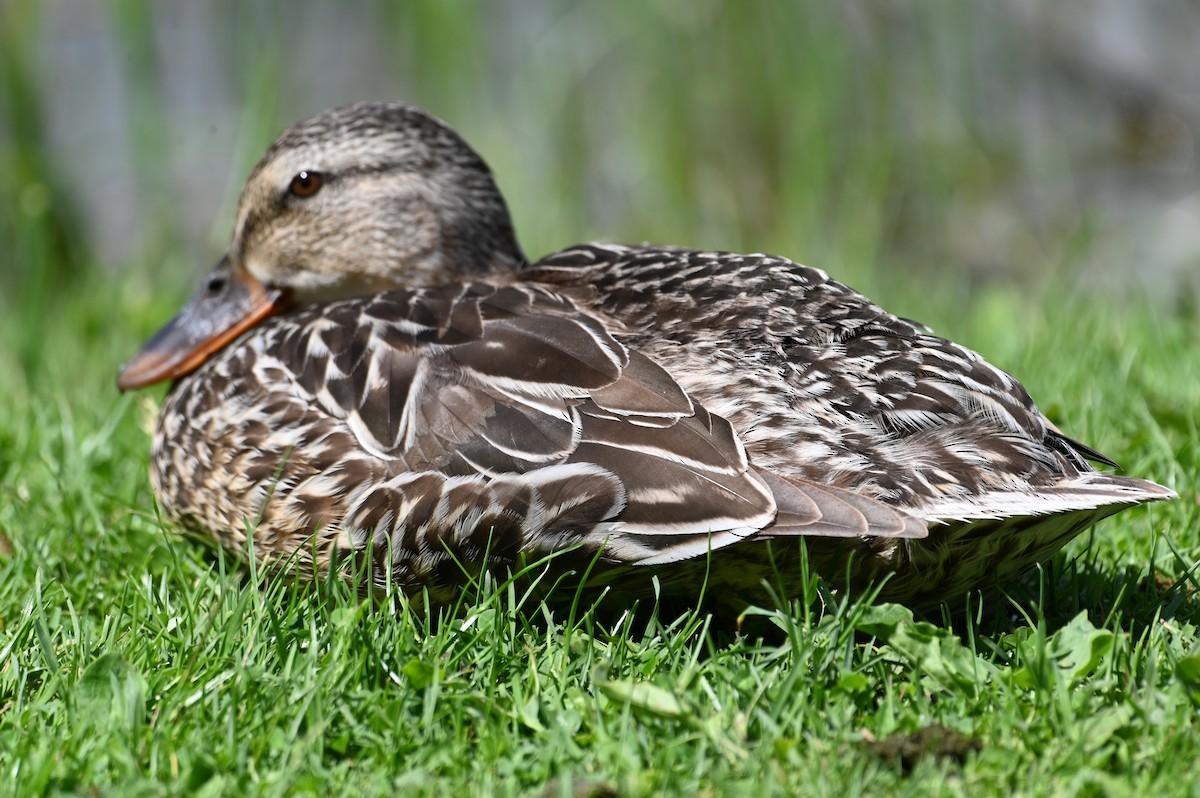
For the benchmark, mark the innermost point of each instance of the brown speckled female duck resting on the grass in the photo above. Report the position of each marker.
(374, 375)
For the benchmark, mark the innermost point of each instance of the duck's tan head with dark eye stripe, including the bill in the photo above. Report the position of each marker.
(349, 203)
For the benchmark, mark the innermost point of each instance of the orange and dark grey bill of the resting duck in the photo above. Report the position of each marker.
(227, 304)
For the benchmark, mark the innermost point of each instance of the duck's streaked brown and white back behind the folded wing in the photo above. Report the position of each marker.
(823, 383)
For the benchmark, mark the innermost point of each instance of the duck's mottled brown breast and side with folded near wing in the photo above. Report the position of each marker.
(446, 427)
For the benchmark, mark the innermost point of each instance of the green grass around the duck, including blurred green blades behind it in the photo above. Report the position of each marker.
(135, 662)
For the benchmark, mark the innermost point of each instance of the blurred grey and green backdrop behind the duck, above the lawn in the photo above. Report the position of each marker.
(928, 143)
